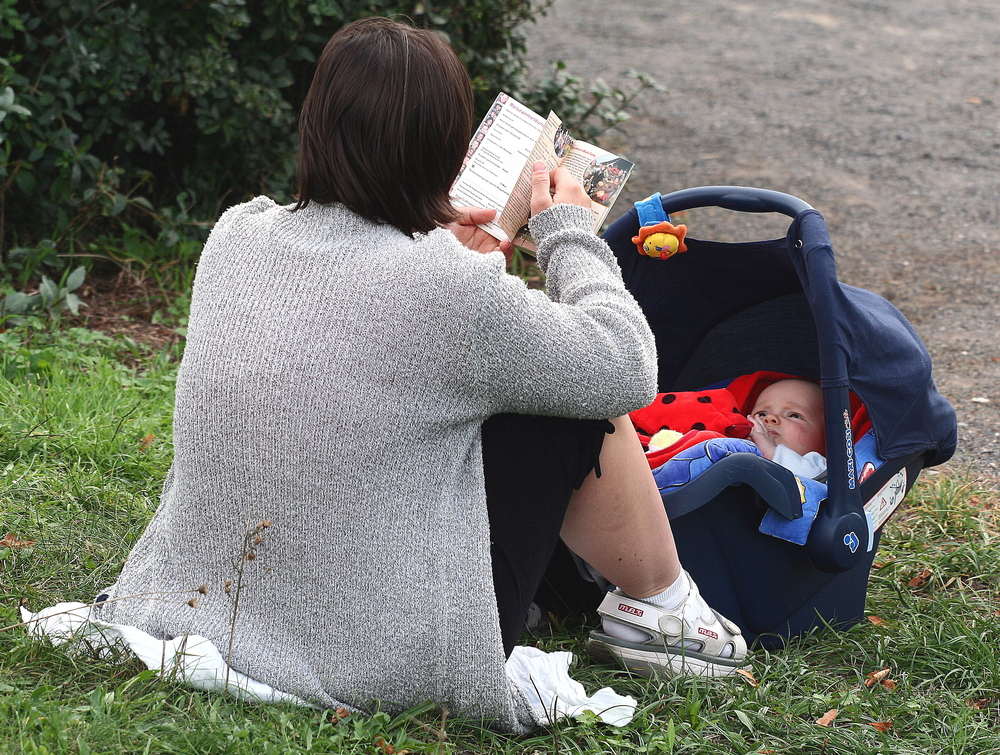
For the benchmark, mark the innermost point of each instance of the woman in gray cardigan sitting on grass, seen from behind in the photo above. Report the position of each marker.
(415, 428)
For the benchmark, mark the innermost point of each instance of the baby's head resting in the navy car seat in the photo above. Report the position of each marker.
(792, 413)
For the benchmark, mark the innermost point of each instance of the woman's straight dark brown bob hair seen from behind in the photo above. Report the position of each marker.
(385, 125)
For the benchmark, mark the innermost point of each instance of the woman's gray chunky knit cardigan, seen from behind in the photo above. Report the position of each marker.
(334, 381)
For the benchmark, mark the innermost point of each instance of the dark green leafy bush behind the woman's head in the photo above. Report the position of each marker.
(153, 116)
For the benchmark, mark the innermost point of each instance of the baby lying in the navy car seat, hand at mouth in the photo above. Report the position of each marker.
(788, 426)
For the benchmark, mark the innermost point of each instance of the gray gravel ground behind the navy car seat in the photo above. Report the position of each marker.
(882, 114)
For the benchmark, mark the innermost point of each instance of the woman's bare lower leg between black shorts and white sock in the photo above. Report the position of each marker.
(617, 523)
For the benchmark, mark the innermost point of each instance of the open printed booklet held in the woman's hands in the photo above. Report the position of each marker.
(496, 173)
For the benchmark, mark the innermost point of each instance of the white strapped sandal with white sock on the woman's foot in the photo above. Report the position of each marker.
(689, 639)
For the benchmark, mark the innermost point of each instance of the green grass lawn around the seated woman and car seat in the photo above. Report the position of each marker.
(77, 477)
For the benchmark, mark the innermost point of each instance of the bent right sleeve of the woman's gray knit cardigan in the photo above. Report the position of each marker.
(582, 348)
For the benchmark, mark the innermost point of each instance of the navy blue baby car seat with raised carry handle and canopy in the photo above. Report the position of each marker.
(722, 310)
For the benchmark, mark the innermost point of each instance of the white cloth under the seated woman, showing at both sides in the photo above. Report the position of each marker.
(542, 678)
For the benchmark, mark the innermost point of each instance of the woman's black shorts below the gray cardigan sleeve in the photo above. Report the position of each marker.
(532, 466)
